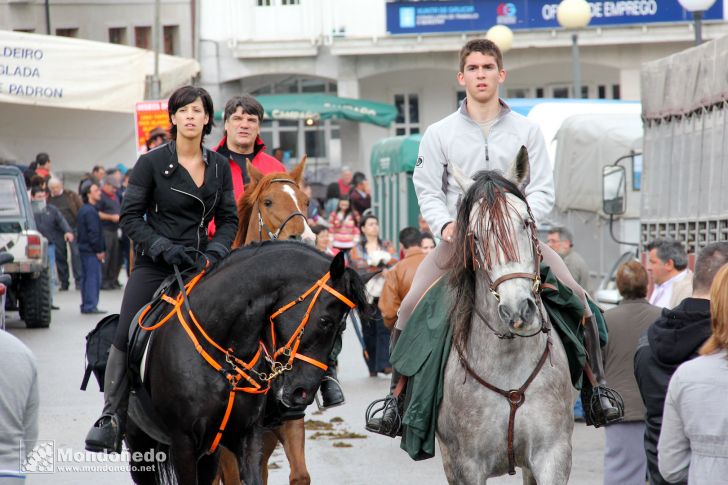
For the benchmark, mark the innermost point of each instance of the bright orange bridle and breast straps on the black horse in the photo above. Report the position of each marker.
(233, 369)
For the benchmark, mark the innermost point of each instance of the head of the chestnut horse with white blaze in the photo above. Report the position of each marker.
(274, 207)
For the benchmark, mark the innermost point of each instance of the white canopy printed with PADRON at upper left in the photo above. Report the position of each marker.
(62, 72)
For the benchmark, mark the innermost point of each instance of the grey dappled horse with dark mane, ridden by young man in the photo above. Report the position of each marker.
(502, 339)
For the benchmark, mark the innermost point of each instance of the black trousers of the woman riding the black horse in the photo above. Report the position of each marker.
(143, 282)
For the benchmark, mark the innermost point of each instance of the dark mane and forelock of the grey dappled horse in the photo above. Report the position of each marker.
(494, 233)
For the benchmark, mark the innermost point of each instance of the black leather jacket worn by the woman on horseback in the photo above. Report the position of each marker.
(176, 210)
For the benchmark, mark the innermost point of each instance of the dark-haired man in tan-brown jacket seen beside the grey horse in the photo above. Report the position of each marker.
(398, 280)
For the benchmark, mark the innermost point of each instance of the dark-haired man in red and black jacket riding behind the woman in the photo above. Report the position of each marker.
(243, 116)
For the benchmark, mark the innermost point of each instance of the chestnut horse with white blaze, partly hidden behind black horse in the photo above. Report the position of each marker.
(273, 207)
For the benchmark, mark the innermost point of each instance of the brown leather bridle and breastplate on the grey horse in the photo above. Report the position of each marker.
(515, 397)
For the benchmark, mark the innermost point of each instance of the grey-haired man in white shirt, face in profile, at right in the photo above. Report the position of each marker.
(667, 263)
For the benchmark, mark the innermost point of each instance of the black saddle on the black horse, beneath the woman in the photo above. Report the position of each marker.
(159, 308)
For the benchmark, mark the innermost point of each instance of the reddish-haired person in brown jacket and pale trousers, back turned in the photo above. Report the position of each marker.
(625, 462)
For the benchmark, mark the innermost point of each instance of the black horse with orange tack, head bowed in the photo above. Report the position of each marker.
(234, 304)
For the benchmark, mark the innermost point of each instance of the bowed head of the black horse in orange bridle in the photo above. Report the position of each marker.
(329, 302)
